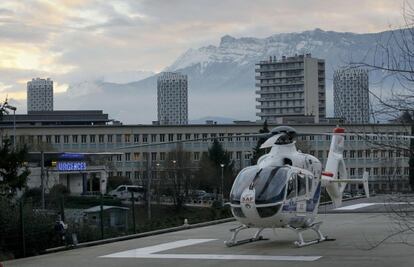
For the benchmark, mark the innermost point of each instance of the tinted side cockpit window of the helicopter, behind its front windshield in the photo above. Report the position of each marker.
(270, 186)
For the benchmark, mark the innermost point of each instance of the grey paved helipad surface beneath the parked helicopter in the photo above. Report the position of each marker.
(355, 236)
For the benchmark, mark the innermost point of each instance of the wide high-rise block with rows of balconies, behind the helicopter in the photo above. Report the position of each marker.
(292, 87)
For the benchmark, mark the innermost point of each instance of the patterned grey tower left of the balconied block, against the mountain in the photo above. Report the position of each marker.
(172, 96)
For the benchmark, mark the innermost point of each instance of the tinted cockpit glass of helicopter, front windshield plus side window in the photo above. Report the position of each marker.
(269, 184)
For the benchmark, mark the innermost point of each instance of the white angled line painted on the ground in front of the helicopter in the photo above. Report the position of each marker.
(148, 252)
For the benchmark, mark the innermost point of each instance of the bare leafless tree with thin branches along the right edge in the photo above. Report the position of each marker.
(393, 58)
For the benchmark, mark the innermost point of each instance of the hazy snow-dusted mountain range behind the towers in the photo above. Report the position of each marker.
(222, 78)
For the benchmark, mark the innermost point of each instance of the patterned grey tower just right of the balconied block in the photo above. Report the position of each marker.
(351, 95)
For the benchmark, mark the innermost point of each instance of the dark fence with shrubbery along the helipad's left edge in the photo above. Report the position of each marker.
(26, 228)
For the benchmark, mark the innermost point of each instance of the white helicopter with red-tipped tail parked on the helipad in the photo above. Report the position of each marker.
(283, 190)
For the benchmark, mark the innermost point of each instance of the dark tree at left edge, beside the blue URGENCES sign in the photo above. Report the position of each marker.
(13, 170)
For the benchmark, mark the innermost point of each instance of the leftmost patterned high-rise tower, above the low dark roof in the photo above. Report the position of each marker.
(40, 95)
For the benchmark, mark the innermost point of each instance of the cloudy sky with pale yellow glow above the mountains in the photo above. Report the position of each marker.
(78, 40)
